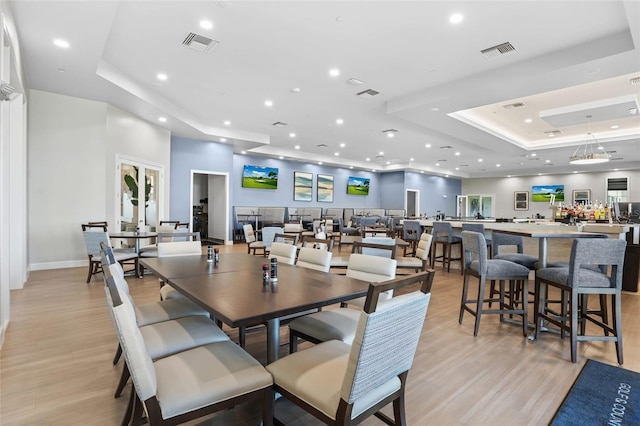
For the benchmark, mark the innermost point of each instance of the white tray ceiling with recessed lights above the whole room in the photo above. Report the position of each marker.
(572, 59)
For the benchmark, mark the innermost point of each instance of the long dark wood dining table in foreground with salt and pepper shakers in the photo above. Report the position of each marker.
(233, 290)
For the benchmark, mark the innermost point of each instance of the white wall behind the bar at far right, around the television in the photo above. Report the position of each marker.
(504, 188)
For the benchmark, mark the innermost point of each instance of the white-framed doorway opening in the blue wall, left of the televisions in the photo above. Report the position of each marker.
(209, 203)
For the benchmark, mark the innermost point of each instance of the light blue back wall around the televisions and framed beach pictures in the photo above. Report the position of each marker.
(386, 189)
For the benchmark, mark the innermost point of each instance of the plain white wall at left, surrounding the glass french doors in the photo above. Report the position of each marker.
(72, 148)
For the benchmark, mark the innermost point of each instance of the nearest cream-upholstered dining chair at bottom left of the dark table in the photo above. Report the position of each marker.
(179, 388)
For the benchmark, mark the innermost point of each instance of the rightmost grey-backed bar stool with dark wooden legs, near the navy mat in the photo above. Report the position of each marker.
(578, 282)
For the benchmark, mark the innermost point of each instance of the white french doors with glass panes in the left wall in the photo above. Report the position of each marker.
(139, 190)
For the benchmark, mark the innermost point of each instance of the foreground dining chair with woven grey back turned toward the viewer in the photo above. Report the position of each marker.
(375, 371)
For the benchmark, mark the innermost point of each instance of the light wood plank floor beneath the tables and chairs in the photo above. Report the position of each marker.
(55, 364)
